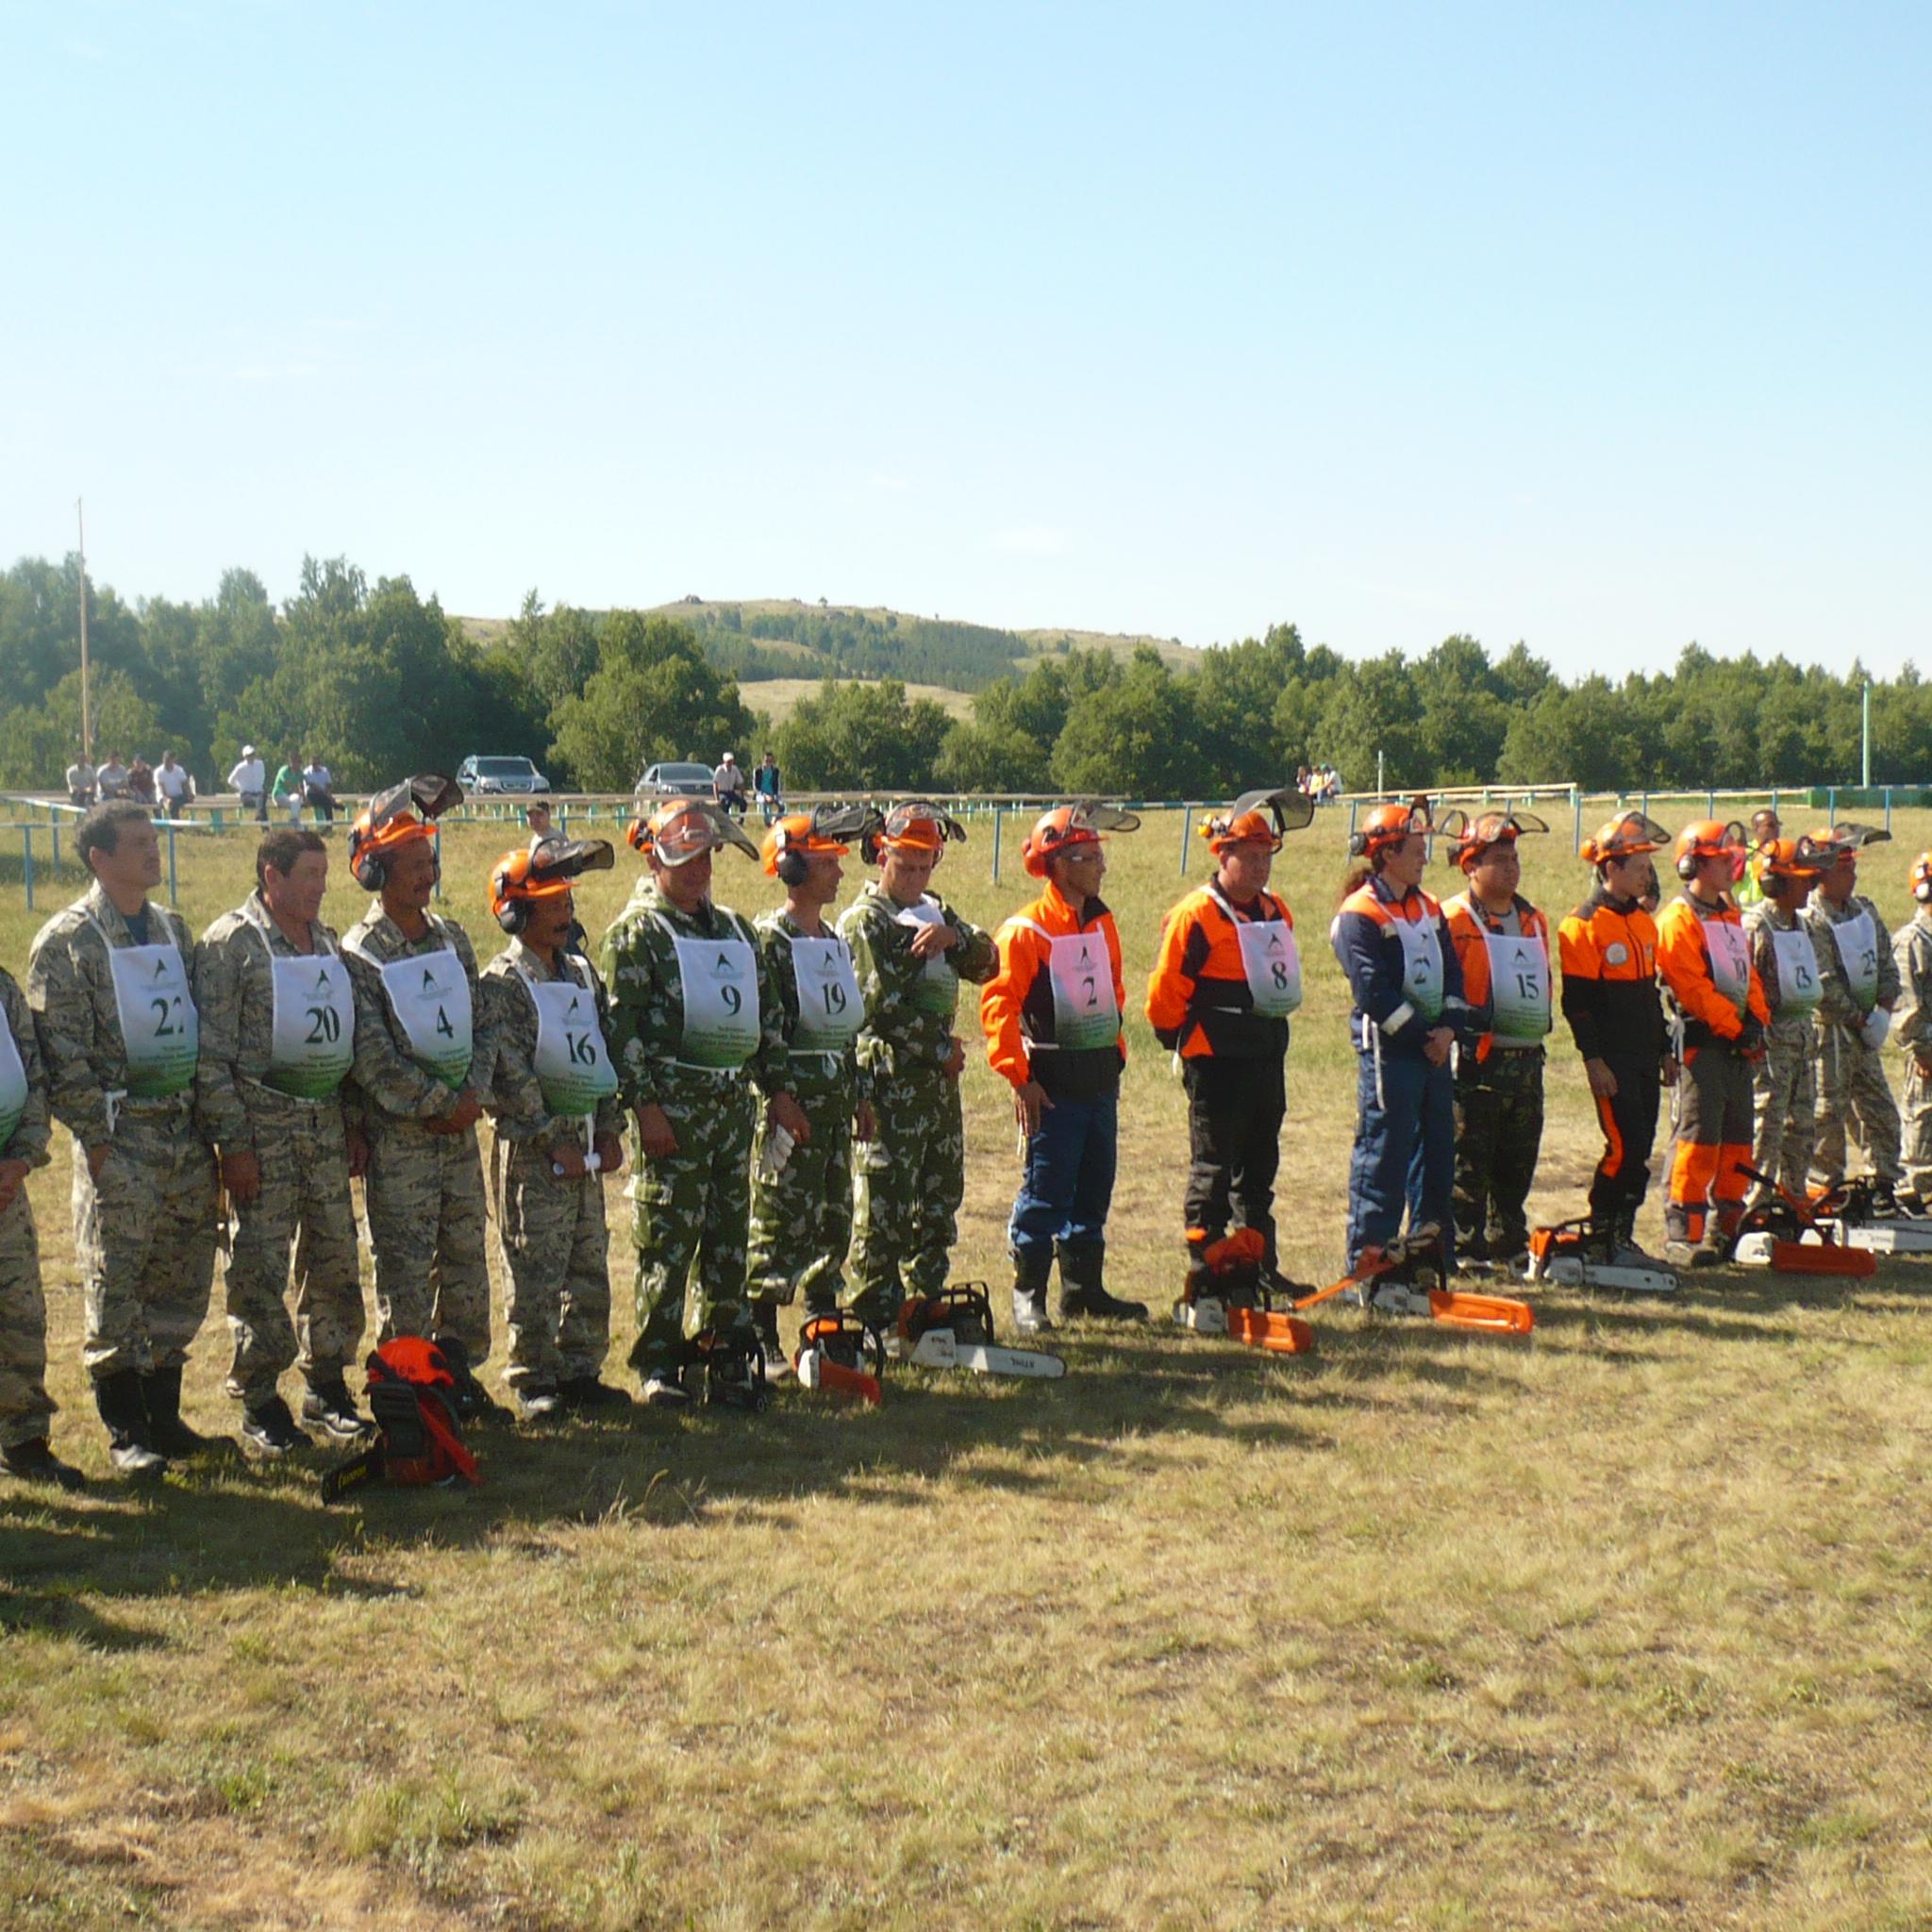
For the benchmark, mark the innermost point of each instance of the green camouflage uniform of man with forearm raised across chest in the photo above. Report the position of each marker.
(913, 1179)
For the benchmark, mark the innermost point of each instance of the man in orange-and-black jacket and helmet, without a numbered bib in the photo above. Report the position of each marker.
(1616, 1015)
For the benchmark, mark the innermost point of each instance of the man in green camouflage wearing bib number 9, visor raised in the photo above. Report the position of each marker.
(696, 1021)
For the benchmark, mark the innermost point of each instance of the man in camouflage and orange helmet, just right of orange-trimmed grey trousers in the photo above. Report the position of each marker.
(1792, 959)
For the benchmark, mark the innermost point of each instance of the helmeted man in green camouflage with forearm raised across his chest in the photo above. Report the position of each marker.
(911, 953)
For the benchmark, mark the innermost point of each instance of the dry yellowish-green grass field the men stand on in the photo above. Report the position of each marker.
(1624, 1628)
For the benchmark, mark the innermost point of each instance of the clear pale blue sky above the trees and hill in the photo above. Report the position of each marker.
(1599, 327)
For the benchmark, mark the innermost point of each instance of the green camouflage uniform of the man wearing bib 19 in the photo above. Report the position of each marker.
(803, 1220)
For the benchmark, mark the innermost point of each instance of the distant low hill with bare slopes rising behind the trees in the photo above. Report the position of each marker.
(776, 639)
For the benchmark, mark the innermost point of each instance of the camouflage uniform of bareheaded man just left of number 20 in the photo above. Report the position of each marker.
(144, 1236)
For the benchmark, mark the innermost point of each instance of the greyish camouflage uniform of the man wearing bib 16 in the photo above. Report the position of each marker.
(552, 1234)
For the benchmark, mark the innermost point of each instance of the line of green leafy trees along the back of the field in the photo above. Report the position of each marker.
(380, 681)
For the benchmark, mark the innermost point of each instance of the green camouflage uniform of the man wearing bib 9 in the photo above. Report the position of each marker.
(693, 1207)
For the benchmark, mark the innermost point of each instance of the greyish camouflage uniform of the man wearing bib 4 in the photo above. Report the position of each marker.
(424, 1193)
